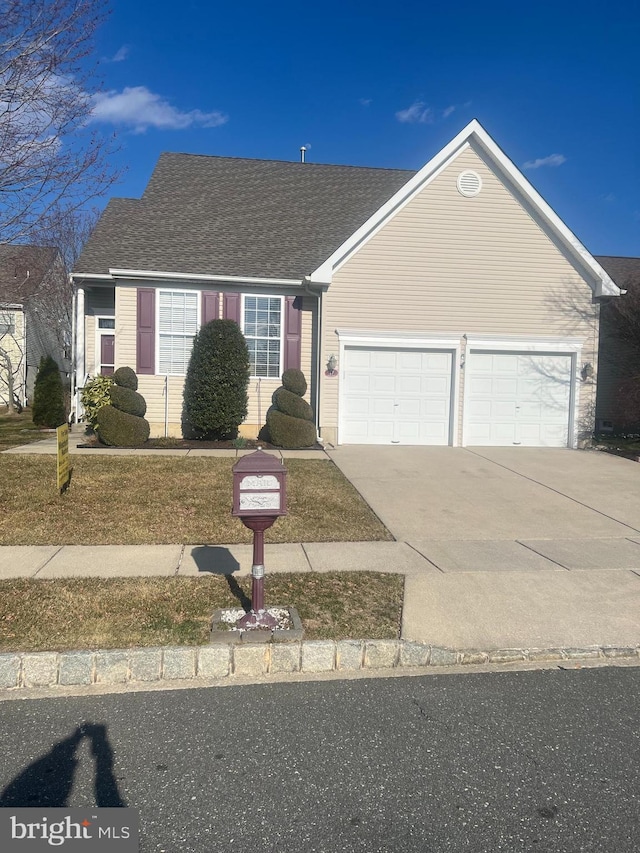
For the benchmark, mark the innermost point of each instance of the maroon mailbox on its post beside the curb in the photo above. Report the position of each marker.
(259, 497)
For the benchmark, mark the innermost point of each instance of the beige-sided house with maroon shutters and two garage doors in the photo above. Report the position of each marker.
(448, 306)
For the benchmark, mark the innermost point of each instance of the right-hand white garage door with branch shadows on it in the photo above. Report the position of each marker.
(518, 398)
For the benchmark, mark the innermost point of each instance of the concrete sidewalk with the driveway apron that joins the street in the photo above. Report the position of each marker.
(475, 594)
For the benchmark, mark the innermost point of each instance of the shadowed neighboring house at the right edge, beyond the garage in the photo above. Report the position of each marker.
(618, 404)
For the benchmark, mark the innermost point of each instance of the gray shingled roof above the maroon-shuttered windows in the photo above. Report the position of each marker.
(230, 216)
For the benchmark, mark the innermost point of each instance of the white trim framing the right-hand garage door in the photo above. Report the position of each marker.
(543, 346)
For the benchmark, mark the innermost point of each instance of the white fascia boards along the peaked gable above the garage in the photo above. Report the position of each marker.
(473, 132)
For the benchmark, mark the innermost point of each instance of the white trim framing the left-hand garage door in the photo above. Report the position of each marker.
(408, 340)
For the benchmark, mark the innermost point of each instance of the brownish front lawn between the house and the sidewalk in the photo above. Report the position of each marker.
(120, 500)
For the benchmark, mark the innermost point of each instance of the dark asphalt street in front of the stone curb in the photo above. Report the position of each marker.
(513, 761)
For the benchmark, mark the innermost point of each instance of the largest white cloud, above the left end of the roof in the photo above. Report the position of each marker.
(140, 109)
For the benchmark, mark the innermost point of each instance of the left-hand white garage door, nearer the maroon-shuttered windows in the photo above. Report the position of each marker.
(400, 396)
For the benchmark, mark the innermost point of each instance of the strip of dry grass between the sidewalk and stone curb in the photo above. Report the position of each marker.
(116, 613)
